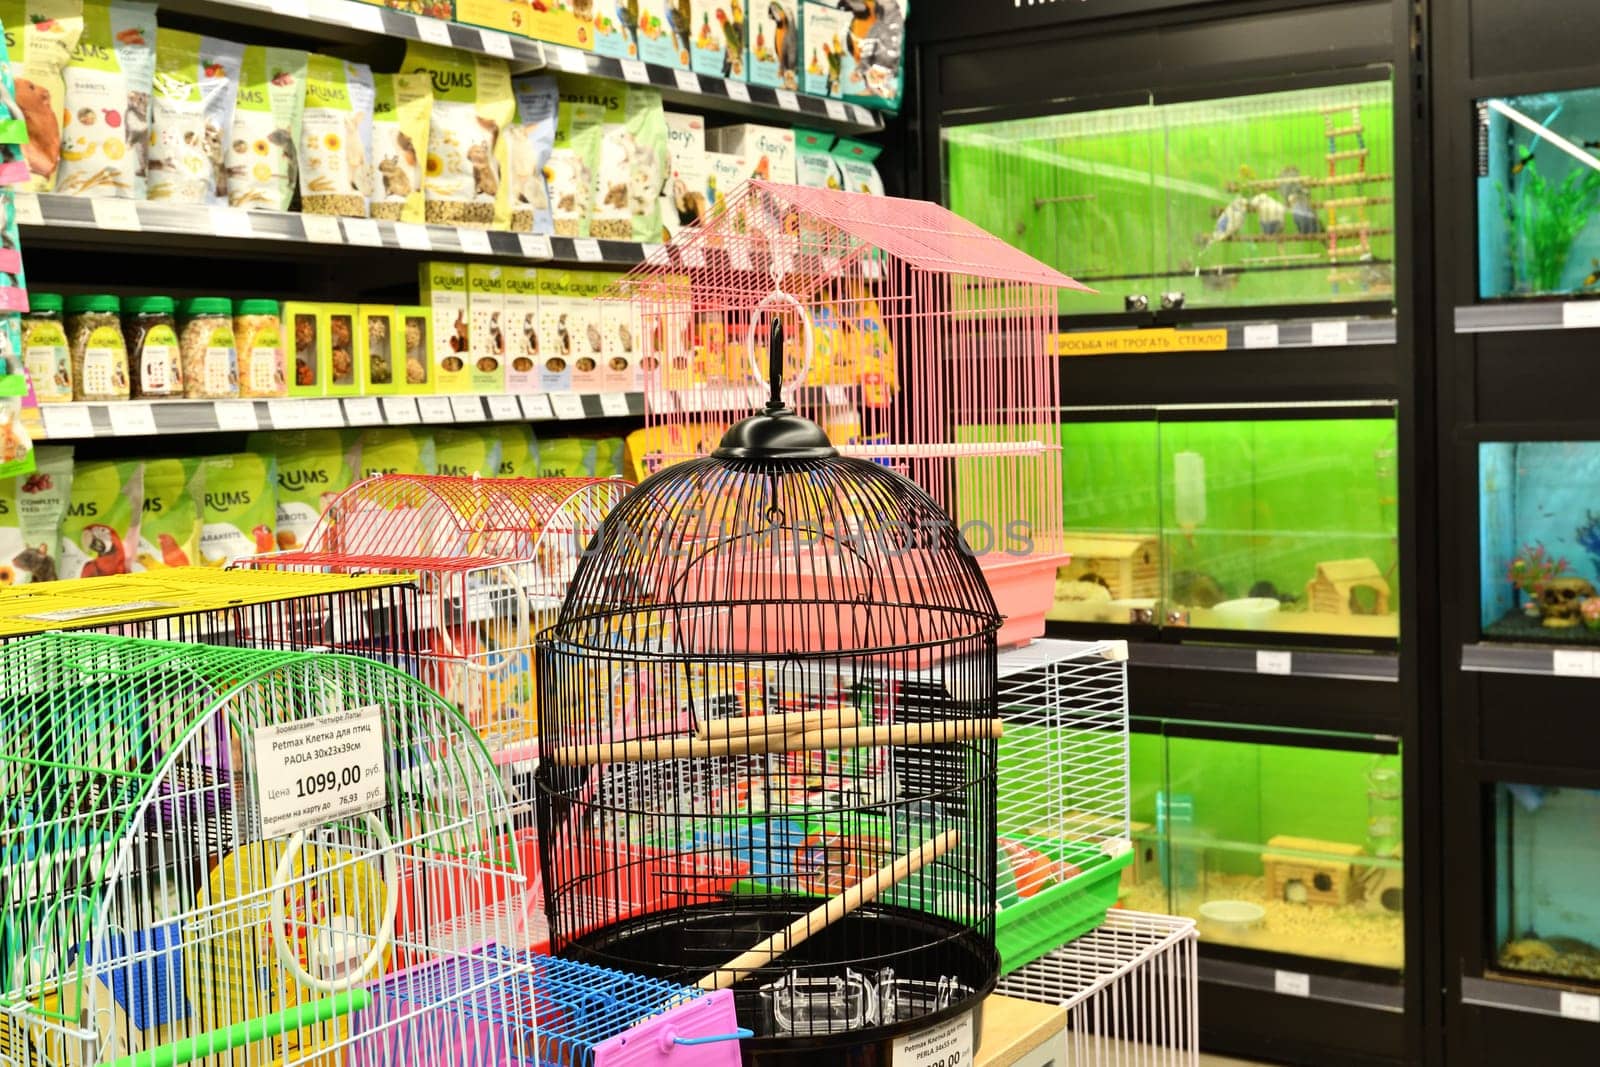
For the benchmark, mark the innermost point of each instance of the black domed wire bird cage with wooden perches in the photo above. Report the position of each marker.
(769, 732)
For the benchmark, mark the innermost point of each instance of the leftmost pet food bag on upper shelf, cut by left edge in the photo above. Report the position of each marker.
(41, 39)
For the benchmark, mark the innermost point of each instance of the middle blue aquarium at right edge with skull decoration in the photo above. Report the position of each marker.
(1540, 541)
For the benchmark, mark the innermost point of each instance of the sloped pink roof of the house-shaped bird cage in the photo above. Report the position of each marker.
(921, 234)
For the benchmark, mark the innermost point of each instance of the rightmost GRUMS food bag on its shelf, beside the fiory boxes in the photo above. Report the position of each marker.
(631, 167)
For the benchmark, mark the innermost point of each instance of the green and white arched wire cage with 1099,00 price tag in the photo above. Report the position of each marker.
(214, 853)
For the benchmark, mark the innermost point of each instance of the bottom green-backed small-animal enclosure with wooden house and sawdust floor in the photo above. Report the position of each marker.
(1286, 842)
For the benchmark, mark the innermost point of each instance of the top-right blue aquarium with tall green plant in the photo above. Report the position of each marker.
(1540, 194)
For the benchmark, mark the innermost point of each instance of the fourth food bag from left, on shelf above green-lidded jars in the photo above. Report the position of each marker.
(263, 170)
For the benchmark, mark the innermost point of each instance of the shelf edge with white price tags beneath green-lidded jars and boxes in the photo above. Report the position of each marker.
(148, 418)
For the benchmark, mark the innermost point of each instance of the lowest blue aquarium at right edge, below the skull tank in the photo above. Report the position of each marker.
(1546, 865)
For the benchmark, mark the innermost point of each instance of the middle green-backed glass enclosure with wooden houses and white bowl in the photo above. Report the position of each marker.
(1271, 524)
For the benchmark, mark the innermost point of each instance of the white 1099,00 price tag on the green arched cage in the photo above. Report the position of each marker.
(321, 770)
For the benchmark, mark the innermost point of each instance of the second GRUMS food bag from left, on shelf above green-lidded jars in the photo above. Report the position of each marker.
(98, 153)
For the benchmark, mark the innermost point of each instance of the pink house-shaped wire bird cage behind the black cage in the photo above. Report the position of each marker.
(926, 348)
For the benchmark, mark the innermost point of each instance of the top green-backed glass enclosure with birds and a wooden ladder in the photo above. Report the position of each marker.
(1242, 202)
